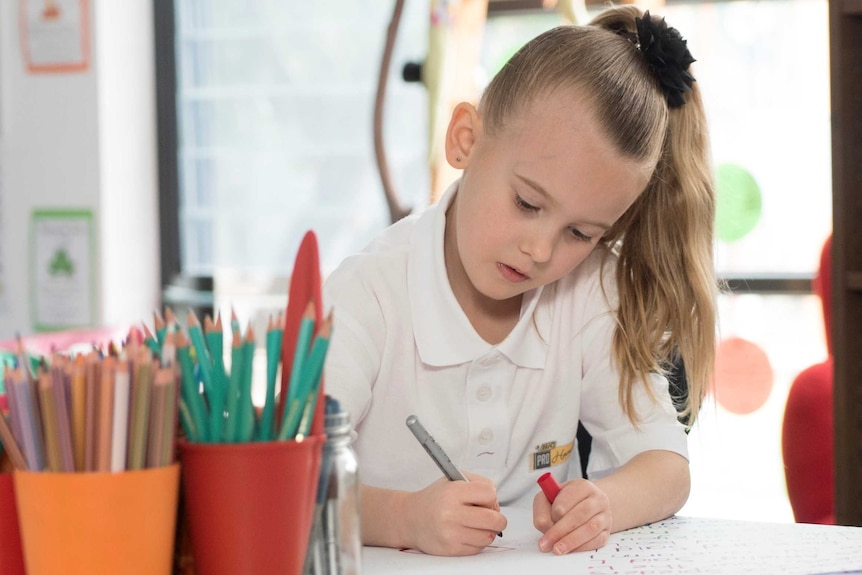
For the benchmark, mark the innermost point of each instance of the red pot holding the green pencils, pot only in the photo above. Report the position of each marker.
(249, 506)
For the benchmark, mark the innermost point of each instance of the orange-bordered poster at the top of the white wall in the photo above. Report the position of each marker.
(55, 35)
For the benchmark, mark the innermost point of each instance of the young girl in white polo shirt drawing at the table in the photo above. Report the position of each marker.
(551, 284)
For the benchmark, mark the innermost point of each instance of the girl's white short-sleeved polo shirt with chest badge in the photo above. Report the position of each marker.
(402, 345)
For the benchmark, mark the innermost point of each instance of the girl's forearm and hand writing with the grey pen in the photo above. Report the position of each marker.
(445, 518)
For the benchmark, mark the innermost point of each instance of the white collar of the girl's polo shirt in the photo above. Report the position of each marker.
(443, 334)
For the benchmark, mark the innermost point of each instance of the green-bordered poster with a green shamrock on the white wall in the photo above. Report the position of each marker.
(63, 288)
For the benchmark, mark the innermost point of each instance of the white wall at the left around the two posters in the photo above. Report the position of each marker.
(82, 140)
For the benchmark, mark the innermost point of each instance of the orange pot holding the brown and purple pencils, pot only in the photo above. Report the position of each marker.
(98, 522)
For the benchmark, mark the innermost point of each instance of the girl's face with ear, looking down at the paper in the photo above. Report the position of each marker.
(535, 198)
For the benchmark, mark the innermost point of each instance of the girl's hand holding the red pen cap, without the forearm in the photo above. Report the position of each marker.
(578, 520)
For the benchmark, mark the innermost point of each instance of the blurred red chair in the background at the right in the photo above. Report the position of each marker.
(806, 438)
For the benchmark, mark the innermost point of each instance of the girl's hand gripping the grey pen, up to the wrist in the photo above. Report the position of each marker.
(455, 517)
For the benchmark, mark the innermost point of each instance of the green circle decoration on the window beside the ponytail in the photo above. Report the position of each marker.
(737, 204)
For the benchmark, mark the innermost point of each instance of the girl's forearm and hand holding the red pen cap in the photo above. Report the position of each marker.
(653, 485)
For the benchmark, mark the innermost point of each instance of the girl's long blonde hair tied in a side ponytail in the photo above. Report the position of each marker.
(664, 241)
